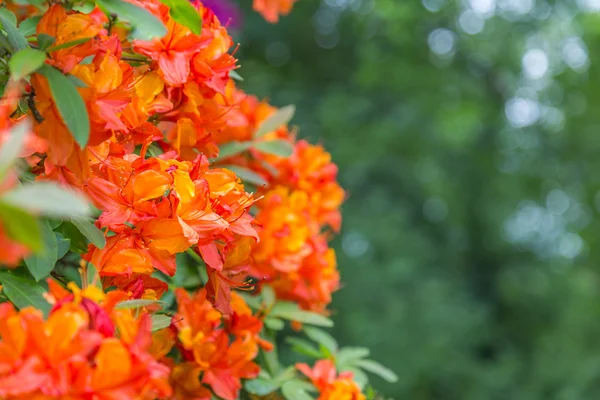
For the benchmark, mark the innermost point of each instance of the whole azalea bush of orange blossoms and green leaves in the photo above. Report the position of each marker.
(157, 224)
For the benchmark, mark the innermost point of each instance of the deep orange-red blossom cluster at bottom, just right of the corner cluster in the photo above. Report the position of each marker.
(211, 356)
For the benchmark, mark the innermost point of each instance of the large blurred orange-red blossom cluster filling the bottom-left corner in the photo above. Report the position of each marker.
(75, 354)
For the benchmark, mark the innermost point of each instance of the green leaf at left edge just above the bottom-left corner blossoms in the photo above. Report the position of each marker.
(23, 291)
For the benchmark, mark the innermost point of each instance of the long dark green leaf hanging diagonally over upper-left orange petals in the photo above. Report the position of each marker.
(69, 103)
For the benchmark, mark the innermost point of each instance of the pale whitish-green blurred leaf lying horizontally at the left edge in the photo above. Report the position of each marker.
(48, 199)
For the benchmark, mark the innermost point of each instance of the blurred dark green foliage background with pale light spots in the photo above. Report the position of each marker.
(468, 139)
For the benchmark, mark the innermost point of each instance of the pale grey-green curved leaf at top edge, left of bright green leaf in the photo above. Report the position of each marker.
(145, 25)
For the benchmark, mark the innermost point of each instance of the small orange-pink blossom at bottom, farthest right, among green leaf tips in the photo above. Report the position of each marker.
(330, 385)
